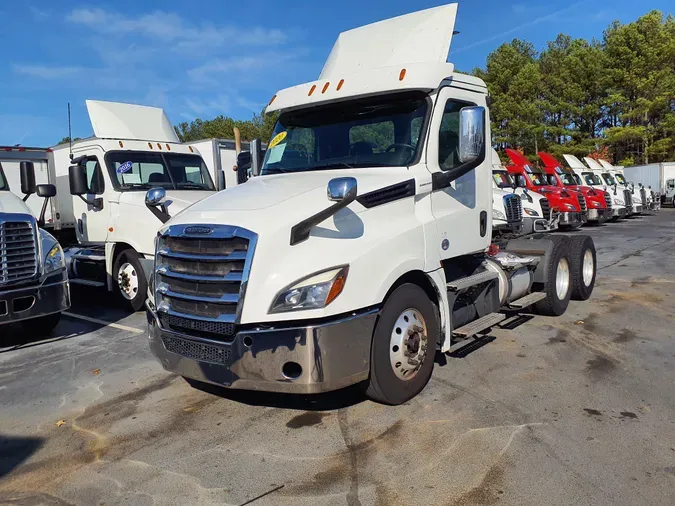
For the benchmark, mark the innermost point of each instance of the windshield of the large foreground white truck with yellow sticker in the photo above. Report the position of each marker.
(374, 132)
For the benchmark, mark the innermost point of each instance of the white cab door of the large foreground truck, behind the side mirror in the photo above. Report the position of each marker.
(462, 207)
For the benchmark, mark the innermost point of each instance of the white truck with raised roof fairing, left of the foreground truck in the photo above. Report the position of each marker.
(101, 210)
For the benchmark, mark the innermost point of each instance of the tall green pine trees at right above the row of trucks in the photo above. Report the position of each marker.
(614, 96)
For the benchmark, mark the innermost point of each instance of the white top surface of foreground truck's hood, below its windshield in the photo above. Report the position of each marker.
(288, 198)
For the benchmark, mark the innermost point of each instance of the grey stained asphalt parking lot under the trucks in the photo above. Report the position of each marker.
(572, 410)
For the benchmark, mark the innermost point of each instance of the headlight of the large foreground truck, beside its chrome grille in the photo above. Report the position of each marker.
(313, 292)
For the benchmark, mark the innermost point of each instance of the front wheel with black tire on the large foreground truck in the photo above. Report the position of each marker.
(404, 346)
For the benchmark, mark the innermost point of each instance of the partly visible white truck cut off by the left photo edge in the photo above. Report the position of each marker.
(34, 286)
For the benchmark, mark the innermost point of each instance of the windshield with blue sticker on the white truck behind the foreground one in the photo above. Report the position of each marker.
(141, 170)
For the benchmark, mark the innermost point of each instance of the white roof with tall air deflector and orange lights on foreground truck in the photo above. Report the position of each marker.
(363, 61)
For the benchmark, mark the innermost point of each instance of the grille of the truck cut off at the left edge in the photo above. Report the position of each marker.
(18, 251)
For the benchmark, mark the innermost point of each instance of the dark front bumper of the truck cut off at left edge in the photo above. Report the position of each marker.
(24, 303)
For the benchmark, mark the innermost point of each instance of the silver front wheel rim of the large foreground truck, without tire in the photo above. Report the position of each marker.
(408, 344)
